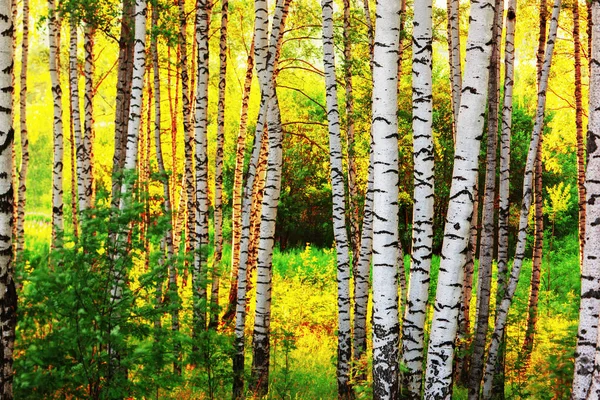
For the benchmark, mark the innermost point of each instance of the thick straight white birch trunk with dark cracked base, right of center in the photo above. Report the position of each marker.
(386, 327)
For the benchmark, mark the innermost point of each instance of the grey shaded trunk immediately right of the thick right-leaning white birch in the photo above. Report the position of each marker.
(486, 246)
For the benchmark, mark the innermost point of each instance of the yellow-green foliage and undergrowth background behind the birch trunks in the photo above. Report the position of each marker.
(55, 356)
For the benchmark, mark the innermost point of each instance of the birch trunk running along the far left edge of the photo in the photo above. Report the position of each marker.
(8, 293)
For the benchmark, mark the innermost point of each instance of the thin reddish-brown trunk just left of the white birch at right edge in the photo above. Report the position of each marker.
(579, 129)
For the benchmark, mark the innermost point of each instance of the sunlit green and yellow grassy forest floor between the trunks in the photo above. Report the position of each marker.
(304, 320)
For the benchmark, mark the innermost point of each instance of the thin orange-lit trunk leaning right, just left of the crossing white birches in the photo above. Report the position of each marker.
(238, 181)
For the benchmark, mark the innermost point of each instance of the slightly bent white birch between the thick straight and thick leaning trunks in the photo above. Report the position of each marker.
(413, 327)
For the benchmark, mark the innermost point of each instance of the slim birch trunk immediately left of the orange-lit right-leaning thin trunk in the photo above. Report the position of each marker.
(218, 205)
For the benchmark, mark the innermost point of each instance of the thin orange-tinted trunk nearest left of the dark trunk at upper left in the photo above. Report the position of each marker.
(88, 122)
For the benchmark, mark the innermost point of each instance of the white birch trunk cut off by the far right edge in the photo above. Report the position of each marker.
(589, 308)
